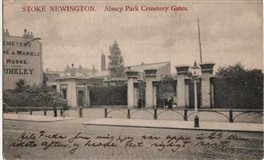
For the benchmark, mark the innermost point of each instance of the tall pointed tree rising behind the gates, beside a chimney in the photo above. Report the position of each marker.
(116, 61)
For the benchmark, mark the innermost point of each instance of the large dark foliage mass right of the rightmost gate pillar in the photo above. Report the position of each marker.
(236, 87)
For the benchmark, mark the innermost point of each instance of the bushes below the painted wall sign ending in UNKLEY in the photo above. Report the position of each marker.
(33, 96)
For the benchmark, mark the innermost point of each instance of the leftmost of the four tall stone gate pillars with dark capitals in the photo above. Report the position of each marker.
(131, 79)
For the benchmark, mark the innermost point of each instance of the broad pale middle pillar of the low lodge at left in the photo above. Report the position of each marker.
(72, 94)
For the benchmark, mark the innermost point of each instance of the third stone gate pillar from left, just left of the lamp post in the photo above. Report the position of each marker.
(182, 74)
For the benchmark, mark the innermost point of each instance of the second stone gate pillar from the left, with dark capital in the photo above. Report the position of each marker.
(150, 77)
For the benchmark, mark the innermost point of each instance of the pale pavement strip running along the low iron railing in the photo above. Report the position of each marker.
(162, 124)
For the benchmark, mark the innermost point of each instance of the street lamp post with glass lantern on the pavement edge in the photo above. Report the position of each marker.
(195, 73)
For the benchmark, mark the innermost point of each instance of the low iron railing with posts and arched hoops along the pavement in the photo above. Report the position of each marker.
(184, 113)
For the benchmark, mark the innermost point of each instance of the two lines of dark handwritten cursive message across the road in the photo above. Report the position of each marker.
(47, 141)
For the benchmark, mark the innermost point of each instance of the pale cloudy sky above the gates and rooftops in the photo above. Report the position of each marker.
(231, 32)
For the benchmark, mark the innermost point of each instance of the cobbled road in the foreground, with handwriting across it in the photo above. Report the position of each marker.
(72, 140)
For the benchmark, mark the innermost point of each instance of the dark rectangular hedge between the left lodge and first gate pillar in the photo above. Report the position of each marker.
(112, 95)
